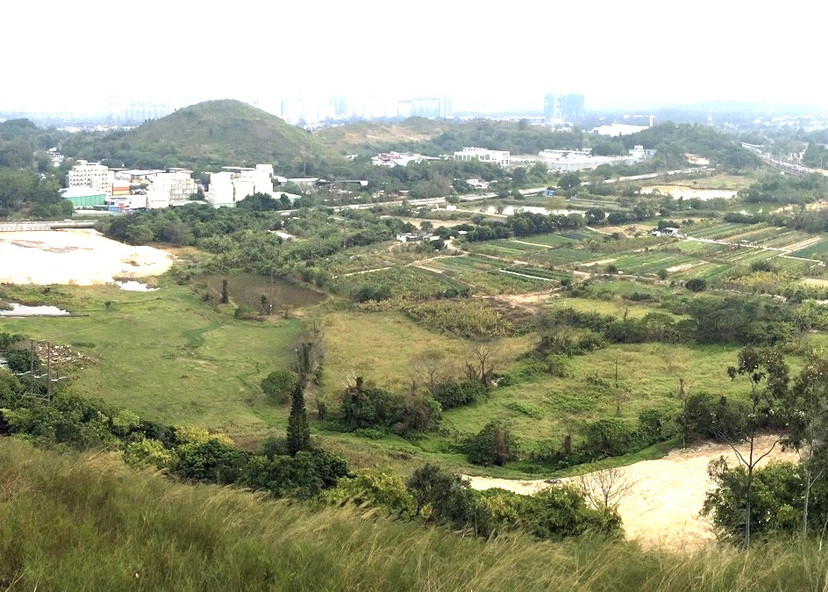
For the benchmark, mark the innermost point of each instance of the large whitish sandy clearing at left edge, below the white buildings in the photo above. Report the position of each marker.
(77, 257)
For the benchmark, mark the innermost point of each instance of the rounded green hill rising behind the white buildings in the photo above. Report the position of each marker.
(212, 133)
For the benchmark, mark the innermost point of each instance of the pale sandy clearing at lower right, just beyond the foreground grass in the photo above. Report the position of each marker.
(663, 505)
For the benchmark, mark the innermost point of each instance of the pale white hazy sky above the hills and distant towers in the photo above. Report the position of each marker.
(78, 56)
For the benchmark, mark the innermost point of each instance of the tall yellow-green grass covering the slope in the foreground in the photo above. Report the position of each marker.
(84, 522)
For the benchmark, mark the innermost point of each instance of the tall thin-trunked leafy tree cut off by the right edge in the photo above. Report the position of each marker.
(808, 426)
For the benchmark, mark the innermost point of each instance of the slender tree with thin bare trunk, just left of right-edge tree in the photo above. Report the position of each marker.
(758, 365)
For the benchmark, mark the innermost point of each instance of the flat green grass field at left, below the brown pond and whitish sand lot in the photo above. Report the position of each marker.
(167, 355)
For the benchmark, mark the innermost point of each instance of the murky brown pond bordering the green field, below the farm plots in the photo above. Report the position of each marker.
(248, 288)
